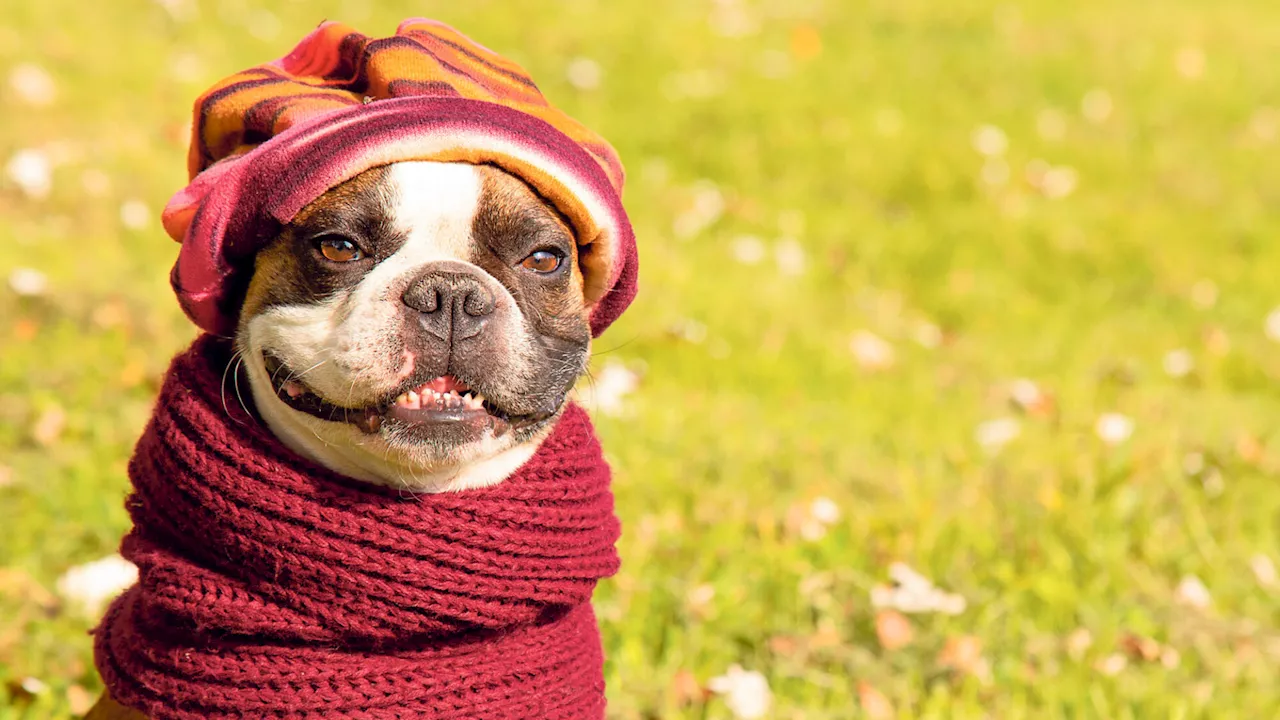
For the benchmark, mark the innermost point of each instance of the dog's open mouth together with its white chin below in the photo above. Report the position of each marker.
(428, 436)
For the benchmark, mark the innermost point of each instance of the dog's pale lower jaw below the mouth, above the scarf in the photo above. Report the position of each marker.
(344, 455)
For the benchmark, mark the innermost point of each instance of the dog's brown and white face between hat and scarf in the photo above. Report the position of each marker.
(418, 326)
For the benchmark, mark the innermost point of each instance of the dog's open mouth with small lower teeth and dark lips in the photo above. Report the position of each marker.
(445, 400)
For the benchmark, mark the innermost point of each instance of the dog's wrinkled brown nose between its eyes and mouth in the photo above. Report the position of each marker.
(454, 306)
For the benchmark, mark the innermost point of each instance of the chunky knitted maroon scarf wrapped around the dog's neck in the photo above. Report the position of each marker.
(272, 587)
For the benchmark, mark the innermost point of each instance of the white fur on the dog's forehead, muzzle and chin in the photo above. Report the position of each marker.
(348, 348)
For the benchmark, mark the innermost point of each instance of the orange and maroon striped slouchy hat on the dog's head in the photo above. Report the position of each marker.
(268, 142)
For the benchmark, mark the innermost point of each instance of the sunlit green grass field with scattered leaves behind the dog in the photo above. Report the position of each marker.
(844, 274)
